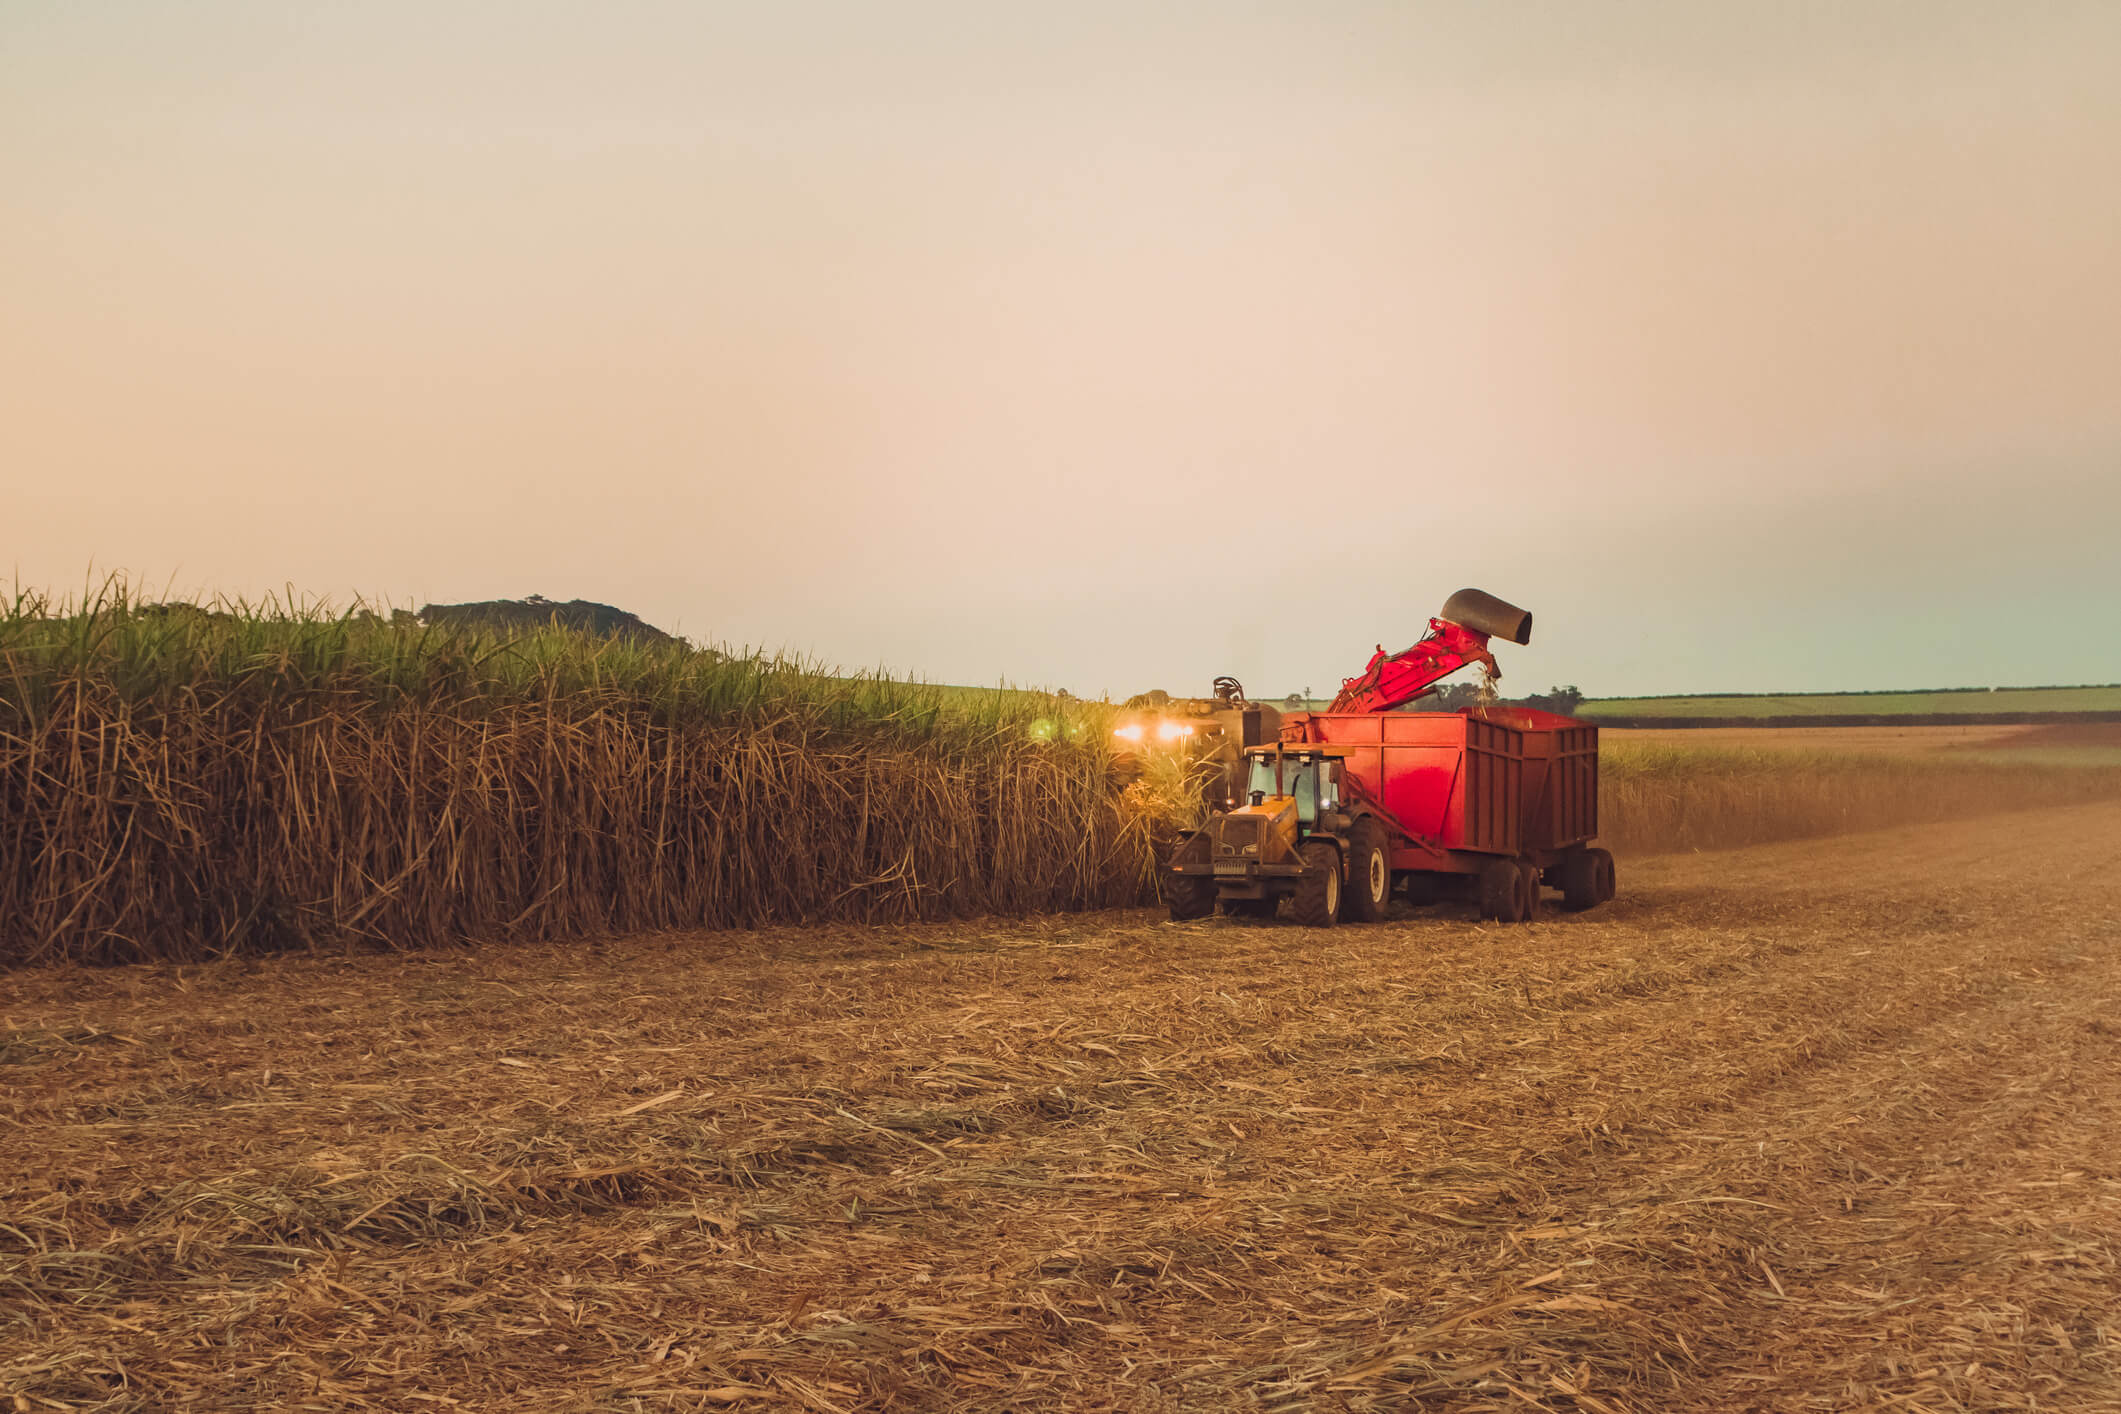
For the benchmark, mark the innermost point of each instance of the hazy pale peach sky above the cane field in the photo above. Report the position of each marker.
(1091, 347)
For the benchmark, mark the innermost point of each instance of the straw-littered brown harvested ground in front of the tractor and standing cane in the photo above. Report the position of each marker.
(1812, 1127)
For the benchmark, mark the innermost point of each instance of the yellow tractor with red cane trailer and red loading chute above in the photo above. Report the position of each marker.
(1359, 800)
